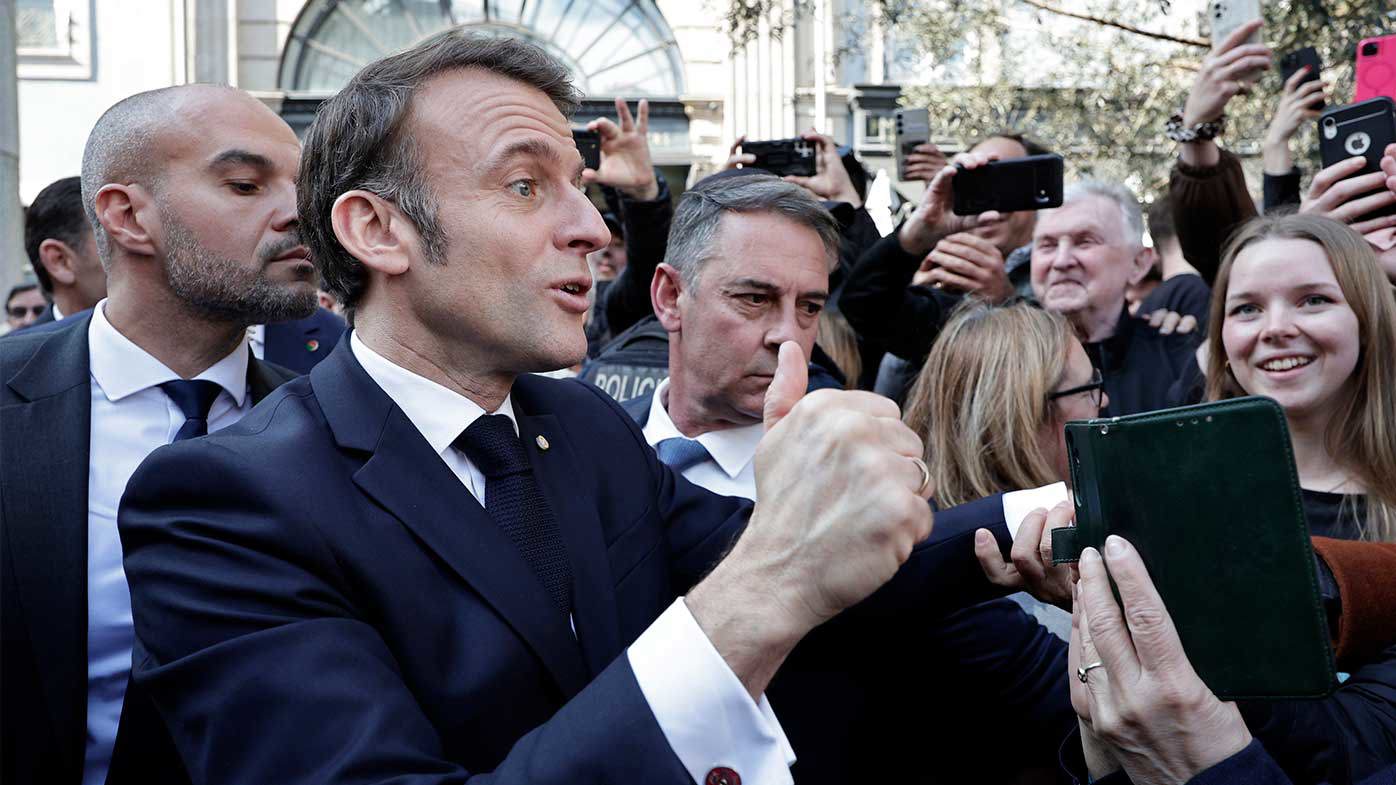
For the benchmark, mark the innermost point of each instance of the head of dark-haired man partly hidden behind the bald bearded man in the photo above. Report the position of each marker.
(64, 251)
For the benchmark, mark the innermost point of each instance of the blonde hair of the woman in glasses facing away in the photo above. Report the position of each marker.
(981, 400)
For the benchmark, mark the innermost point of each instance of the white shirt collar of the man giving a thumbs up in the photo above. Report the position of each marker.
(439, 413)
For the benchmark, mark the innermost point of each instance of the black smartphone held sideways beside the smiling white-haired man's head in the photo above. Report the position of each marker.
(1011, 185)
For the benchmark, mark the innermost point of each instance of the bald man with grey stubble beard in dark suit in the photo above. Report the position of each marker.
(192, 192)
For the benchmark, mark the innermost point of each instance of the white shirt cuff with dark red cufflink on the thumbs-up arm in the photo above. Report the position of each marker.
(703, 709)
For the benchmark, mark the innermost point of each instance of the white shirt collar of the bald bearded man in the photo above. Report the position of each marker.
(122, 368)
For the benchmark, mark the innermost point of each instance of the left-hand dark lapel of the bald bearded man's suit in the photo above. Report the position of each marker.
(44, 449)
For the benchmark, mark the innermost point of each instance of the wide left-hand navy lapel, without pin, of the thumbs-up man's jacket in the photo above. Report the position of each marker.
(408, 480)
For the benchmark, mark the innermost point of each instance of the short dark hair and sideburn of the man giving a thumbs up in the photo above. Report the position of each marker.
(362, 140)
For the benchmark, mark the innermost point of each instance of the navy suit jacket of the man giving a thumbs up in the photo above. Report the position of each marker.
(382, 625)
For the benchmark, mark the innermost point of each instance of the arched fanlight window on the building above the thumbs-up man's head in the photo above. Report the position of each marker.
(612, 47)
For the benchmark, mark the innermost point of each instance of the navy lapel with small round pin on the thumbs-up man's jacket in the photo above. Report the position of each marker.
(594, 599)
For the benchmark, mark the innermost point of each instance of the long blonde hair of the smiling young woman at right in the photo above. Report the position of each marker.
(1362, 434)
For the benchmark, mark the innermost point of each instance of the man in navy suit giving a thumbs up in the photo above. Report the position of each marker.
(495, 573)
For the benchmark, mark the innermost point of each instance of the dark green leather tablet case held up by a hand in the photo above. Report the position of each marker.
(1211, 499)
